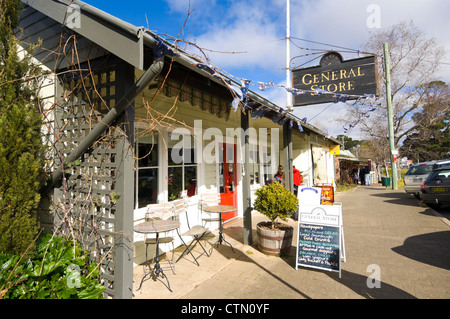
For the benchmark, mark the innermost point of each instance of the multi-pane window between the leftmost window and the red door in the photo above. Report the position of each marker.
(182, 171)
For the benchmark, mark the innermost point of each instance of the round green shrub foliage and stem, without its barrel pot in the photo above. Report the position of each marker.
(275, 201)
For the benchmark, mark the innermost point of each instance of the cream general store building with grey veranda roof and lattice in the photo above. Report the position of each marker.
(123, 113)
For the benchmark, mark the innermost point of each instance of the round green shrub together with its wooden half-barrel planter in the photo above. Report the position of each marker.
(275, 202)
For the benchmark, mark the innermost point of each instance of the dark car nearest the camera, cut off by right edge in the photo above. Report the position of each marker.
(436, 188)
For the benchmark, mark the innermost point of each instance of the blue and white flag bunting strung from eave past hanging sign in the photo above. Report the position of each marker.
(281, 117)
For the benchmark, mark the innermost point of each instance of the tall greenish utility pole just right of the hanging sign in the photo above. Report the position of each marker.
(390, 117)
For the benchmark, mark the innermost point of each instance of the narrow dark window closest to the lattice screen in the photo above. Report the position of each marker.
(147, 171)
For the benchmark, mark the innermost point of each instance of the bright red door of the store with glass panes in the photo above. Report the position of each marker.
(227, 178)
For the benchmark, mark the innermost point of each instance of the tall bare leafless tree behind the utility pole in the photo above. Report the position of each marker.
(414, 60)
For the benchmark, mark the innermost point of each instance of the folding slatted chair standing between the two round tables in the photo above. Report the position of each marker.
(197, 232)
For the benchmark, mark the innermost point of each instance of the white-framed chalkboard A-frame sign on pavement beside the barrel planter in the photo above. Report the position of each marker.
(319, 237)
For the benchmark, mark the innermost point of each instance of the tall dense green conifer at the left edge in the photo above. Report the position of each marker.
(20, 138)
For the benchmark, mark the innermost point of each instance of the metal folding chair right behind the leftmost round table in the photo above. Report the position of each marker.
(158, 212)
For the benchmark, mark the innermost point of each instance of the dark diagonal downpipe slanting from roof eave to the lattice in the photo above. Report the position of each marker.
(152, 72)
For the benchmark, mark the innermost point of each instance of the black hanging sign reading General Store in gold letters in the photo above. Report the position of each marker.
(354, 78)
